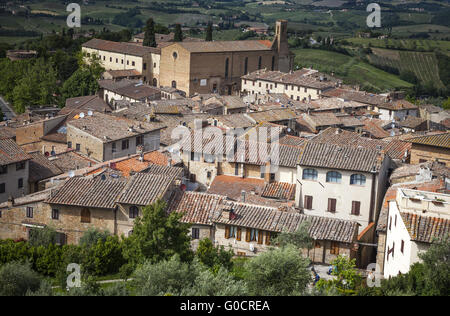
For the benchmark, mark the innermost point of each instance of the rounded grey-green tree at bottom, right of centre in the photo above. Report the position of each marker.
(279, 271)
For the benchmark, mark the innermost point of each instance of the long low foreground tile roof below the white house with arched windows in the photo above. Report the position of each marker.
(271, 219)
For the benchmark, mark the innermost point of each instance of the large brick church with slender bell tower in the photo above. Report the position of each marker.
(205, 67)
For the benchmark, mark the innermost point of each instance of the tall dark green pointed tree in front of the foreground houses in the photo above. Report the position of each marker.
(158, 236)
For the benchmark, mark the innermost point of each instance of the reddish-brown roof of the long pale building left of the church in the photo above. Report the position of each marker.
(120, 47)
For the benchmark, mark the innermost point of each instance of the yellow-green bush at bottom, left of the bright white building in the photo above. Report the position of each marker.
(346, 278)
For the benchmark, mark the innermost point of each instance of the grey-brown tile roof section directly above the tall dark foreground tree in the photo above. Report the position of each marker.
(145, 188)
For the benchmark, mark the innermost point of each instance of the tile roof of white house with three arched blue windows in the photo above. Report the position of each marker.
(340, 157)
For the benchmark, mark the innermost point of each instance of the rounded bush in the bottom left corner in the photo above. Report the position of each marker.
(16, 279)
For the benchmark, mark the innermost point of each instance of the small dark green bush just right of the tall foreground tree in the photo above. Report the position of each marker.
(214, 257)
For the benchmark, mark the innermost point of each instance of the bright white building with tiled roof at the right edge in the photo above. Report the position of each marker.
(415, 218)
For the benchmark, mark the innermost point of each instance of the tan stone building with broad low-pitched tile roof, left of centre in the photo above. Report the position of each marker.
(105, 137)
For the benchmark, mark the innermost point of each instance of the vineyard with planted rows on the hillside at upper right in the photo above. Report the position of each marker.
(423, 65)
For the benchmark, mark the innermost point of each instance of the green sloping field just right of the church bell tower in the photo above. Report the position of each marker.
(351, 69)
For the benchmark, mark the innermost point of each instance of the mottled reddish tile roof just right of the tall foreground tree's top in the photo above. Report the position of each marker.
(198, 207)
